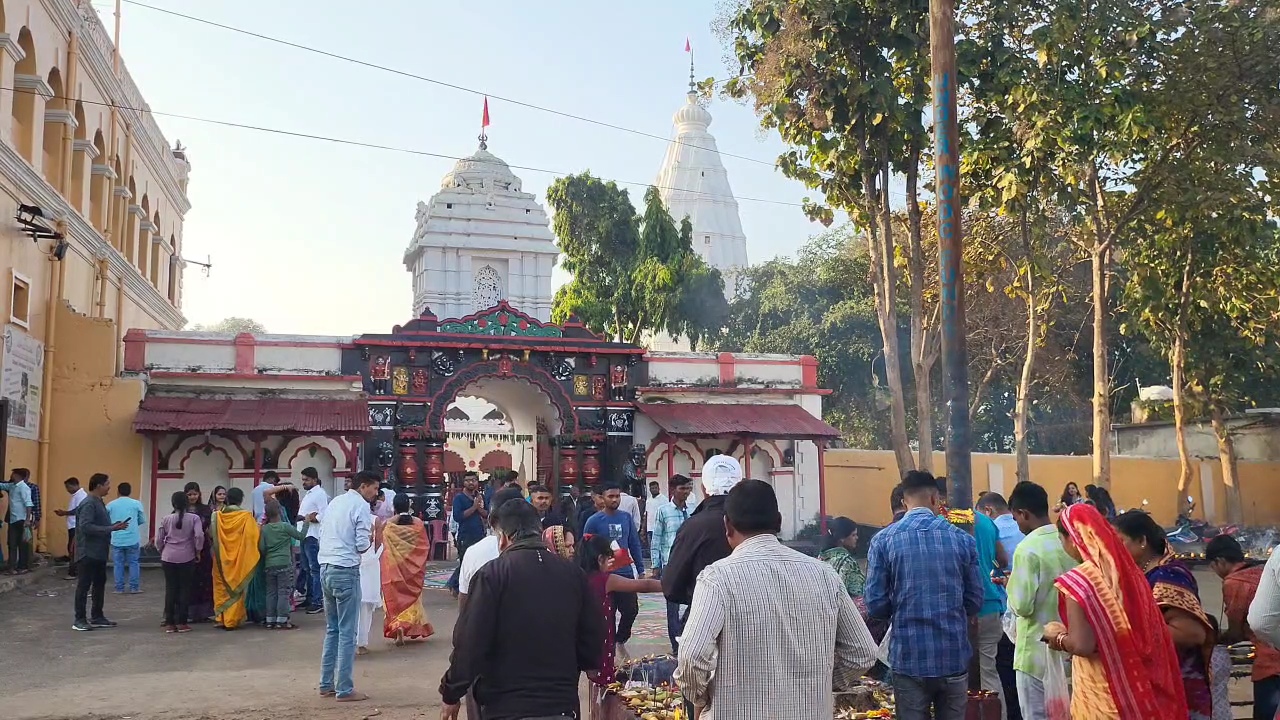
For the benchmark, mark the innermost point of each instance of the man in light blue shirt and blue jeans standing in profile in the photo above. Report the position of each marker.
(346, 535)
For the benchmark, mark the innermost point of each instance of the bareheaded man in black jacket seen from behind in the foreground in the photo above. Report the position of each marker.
(529, 628)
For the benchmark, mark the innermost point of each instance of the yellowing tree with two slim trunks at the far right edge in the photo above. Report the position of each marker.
(1205, 289)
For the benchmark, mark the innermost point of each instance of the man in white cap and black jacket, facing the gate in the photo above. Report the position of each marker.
(701, 540)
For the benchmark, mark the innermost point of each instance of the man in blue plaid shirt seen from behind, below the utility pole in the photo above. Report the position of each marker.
(922, 577)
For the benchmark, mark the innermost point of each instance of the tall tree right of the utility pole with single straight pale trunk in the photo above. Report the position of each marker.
(1108, 108)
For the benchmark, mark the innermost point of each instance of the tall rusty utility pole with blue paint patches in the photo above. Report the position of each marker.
(947, 134)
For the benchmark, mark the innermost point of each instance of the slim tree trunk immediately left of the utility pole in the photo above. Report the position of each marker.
(922, 364)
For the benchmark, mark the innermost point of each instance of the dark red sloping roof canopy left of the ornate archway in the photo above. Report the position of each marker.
(292, 416)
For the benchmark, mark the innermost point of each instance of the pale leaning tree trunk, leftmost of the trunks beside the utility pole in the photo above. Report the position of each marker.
(881, 247)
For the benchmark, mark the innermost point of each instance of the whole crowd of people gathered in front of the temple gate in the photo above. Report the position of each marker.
(1086, 616)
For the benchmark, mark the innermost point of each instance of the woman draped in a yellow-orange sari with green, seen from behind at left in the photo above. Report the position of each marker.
(236, 555)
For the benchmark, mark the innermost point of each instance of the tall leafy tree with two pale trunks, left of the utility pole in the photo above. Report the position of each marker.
(843, 83)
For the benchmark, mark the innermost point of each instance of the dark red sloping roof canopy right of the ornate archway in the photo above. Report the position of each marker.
(784, 422)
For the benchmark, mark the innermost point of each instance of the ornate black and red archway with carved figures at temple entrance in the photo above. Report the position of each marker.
(584, 386)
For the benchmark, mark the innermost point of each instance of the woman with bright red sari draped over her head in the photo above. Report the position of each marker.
(1123, 660)
